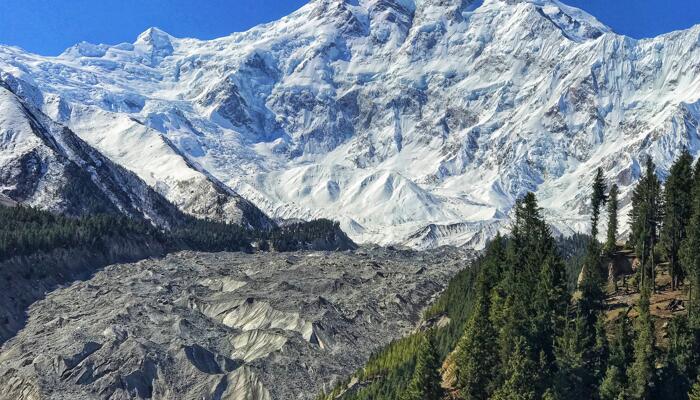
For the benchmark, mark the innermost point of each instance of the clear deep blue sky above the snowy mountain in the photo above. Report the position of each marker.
(49, 26)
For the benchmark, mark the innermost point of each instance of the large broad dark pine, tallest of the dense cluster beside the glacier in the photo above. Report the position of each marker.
(531, 301)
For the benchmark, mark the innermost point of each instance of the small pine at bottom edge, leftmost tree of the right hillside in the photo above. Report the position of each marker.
(425, 384)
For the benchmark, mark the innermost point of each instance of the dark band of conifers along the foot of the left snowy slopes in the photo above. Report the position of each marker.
(25, 231)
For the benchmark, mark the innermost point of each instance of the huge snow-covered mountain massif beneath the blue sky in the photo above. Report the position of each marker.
(410, 121)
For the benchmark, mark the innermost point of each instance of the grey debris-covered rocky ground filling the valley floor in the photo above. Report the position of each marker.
(221, 325)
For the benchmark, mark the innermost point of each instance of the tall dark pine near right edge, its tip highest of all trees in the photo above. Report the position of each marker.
(677, 211)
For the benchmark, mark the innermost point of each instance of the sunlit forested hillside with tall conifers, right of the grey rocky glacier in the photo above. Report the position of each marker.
(531, 319)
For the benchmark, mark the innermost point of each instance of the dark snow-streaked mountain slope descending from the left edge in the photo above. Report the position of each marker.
(44, 164)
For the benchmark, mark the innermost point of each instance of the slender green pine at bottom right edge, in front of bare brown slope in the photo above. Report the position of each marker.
(642, 372)
